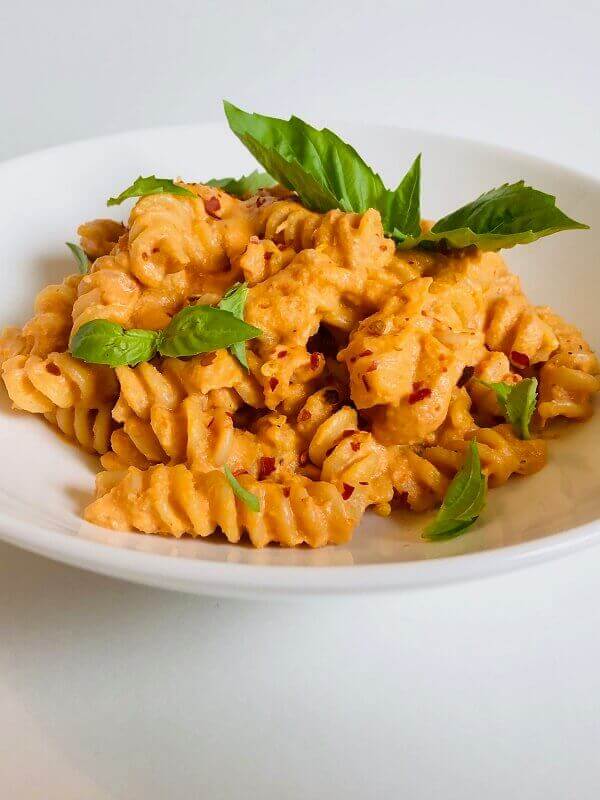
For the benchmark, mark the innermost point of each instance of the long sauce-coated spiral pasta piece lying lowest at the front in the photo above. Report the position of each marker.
(173, 501)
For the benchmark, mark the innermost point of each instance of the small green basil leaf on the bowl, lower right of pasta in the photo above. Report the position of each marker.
(464, 500)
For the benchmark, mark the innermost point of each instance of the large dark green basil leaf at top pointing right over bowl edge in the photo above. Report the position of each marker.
(504, 217)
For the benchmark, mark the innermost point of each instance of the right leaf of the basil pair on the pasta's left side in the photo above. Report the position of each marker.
(202, 329)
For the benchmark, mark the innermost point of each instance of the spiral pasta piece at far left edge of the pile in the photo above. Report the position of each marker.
(38, 385)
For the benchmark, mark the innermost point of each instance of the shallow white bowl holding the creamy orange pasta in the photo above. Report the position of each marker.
(45, 483)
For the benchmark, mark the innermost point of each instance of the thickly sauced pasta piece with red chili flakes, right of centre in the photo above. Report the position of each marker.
(404, 362)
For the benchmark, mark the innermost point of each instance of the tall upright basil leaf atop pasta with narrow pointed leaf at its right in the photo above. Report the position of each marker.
(325, 171)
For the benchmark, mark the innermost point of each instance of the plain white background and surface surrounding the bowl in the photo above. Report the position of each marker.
(490, 689)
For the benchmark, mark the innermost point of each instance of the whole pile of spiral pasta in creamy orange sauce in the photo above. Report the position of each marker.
(363, 391)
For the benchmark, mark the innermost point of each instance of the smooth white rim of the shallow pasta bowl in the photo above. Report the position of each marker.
(225, 578)
